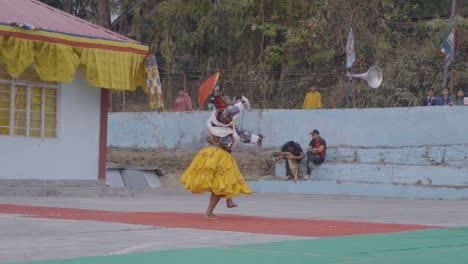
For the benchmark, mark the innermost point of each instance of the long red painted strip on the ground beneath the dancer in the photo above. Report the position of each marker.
(250, 224)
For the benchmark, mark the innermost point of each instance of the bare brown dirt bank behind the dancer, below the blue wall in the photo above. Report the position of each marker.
(254, 164)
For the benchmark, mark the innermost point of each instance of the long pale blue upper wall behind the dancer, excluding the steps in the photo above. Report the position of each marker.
(397, 127)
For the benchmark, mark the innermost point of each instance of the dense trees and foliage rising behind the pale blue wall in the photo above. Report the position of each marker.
(266, 47)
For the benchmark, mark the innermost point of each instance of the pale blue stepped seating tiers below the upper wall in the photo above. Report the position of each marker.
(409, 172)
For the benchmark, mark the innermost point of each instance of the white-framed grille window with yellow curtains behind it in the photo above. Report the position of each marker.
(28, 108)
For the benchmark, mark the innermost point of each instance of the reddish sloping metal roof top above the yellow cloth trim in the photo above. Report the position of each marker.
(41, 15)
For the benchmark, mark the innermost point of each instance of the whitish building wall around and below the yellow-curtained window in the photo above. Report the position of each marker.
(74, 155)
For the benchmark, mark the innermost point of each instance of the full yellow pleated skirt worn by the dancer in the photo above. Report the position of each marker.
(214, 170)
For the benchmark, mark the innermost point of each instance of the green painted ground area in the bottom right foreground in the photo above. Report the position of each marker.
(423, 246)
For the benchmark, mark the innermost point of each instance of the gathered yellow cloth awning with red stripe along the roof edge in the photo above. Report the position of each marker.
(55, 57)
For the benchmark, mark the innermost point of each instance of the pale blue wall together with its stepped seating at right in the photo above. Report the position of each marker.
(419, 152)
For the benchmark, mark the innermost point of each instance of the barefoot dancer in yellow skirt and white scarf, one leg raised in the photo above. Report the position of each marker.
(214, 169)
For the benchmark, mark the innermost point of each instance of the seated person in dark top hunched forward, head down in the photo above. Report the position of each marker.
(292, 153)
